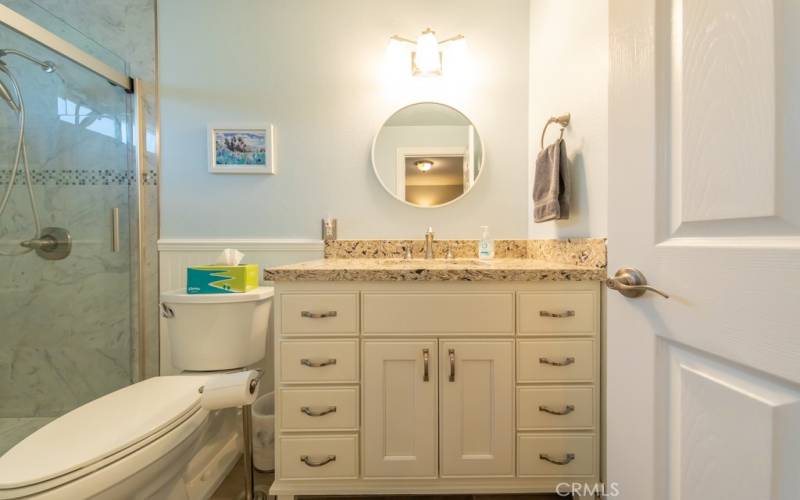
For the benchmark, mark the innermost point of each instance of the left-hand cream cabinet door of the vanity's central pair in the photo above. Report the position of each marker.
(399, 424)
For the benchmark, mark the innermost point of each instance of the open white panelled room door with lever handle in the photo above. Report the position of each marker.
(703, 388)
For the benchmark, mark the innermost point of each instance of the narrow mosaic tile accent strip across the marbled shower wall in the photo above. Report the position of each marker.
(82, 177)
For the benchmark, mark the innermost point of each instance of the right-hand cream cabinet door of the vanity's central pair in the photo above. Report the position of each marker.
(477, 408)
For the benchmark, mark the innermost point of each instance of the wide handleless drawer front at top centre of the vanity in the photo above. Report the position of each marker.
(438, 313)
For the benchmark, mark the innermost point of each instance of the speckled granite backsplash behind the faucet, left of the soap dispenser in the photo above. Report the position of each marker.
(396, 249)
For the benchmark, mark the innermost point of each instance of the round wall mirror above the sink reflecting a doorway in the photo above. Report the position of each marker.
(427, 154)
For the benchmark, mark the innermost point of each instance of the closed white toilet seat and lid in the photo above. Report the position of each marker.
(100, 433)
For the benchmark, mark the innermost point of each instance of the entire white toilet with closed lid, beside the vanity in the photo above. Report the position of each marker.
(151, 439)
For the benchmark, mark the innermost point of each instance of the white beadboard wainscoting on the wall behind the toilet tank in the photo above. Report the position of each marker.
(175, 255)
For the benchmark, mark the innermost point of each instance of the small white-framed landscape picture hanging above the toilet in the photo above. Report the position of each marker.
(241, 148)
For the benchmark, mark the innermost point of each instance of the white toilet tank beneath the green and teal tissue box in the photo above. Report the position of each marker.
(218, 331)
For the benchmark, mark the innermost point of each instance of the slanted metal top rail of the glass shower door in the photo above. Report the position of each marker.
(33, 31)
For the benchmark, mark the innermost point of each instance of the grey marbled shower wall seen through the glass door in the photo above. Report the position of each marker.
(67, 328)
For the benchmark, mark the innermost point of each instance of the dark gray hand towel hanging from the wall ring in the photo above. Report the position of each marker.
(551, 183)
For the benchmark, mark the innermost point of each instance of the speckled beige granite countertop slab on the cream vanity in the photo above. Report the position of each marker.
(459, 269)
